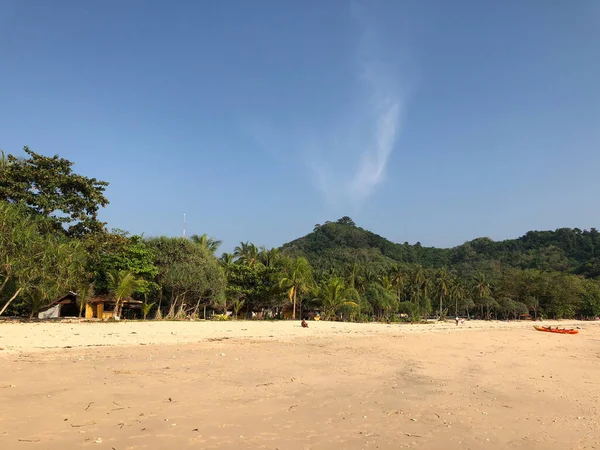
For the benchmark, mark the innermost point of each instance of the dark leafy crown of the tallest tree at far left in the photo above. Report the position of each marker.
(48, 187)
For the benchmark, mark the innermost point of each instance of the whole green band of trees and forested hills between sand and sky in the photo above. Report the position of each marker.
(52, 242)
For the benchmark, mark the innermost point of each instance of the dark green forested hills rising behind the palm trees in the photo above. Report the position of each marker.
(339, 244)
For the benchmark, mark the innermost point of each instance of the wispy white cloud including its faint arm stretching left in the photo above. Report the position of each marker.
(348, 156)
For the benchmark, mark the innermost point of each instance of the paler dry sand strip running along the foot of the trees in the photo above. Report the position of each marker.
(47, 336)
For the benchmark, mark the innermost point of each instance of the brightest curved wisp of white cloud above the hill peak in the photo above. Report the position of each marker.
(367, 154)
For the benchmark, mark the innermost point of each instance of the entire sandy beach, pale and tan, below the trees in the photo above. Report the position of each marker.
(275, 385)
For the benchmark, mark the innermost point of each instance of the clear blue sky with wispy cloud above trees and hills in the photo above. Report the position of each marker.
(430, 121)
